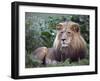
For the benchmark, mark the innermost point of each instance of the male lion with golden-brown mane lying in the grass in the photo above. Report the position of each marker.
(68, 44)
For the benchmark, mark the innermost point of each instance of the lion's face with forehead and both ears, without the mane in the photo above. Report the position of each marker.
(66, 32)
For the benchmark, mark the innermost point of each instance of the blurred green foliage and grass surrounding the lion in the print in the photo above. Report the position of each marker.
(40, 30)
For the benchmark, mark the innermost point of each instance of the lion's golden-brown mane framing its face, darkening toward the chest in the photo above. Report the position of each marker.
(77, 47)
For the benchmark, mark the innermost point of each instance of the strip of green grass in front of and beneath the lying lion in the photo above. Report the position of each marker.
(32, 63)
